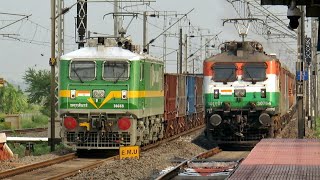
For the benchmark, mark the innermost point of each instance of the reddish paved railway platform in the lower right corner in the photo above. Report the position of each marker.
(281, 159)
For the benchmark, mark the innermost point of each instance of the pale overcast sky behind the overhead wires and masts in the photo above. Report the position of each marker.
(33, 49)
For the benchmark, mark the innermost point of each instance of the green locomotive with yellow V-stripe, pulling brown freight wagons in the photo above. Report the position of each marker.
(110, 96)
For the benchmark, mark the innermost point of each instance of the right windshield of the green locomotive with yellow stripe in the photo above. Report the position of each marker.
(115, 71)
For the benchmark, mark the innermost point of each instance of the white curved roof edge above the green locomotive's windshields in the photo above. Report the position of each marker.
(103, 52)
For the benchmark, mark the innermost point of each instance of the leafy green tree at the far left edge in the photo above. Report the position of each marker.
(12, 100)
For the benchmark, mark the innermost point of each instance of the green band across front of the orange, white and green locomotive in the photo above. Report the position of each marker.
(272, 100)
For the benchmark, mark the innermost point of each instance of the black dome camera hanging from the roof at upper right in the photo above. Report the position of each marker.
(293, 15)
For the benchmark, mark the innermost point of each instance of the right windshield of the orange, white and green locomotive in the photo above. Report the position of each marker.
(254, 72)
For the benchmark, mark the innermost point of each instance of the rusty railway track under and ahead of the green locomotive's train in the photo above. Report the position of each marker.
(69, 165)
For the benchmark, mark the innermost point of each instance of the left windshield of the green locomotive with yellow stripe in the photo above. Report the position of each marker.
(82, 70)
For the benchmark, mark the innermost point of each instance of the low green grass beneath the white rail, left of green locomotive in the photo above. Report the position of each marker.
(38, 149)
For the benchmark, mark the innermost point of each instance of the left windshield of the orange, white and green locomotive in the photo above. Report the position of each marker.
(224, 73)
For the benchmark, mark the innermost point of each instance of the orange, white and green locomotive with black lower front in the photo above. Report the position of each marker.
(248, 94)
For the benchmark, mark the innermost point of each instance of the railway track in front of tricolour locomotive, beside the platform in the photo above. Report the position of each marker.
(213, 164)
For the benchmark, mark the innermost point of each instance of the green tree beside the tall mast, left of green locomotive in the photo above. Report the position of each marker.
(38, 88)
